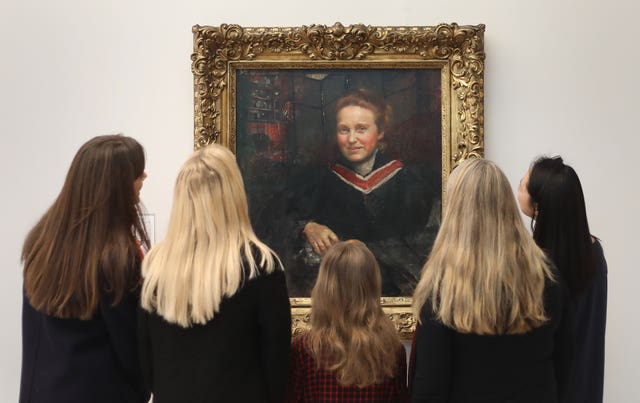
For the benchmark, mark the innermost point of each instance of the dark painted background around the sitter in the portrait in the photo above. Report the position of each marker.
(285, 125)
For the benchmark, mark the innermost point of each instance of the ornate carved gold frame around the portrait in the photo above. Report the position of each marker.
(458, 50)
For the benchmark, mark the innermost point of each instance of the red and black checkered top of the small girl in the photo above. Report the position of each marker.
(308, 384)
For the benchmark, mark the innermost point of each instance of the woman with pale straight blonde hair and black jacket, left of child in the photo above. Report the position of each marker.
(215, 323)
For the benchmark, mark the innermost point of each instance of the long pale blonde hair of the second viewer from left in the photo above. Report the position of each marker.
(207, 253)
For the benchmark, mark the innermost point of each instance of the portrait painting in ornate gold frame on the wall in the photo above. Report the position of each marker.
(343, 132)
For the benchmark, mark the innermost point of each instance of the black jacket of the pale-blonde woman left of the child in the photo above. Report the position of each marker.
(241, 355)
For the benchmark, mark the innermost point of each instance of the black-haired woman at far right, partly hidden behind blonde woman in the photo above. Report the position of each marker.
(551, 194)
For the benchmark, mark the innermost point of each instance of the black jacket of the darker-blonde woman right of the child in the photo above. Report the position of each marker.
(527, 368)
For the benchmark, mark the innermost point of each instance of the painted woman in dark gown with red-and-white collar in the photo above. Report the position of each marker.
(366, 195)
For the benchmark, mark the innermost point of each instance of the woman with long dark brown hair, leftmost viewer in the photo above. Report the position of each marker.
(81, 282)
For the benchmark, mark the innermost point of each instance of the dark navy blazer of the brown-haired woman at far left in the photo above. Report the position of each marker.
(73, 360)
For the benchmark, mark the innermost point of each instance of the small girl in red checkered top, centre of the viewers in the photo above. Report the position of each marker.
(352, 351)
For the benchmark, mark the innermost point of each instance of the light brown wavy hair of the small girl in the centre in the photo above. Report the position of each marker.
(350, 334)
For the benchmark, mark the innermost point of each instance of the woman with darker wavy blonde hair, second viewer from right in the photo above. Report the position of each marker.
(492, 311)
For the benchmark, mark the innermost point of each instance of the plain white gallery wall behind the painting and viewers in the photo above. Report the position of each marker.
(561, 78)
